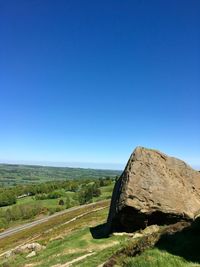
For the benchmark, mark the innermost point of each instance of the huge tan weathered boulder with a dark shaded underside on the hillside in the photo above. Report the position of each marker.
(154, 189)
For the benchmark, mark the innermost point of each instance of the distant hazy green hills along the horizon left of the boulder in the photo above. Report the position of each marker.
(12, 174)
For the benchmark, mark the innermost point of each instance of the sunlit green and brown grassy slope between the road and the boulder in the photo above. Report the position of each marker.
(65, 242)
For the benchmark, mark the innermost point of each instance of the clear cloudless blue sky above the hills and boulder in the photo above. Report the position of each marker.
(88, 81)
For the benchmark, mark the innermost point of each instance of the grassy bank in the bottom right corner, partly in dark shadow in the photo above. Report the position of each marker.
(178, 249)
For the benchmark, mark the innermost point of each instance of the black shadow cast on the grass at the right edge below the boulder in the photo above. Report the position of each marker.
(184, 244)
